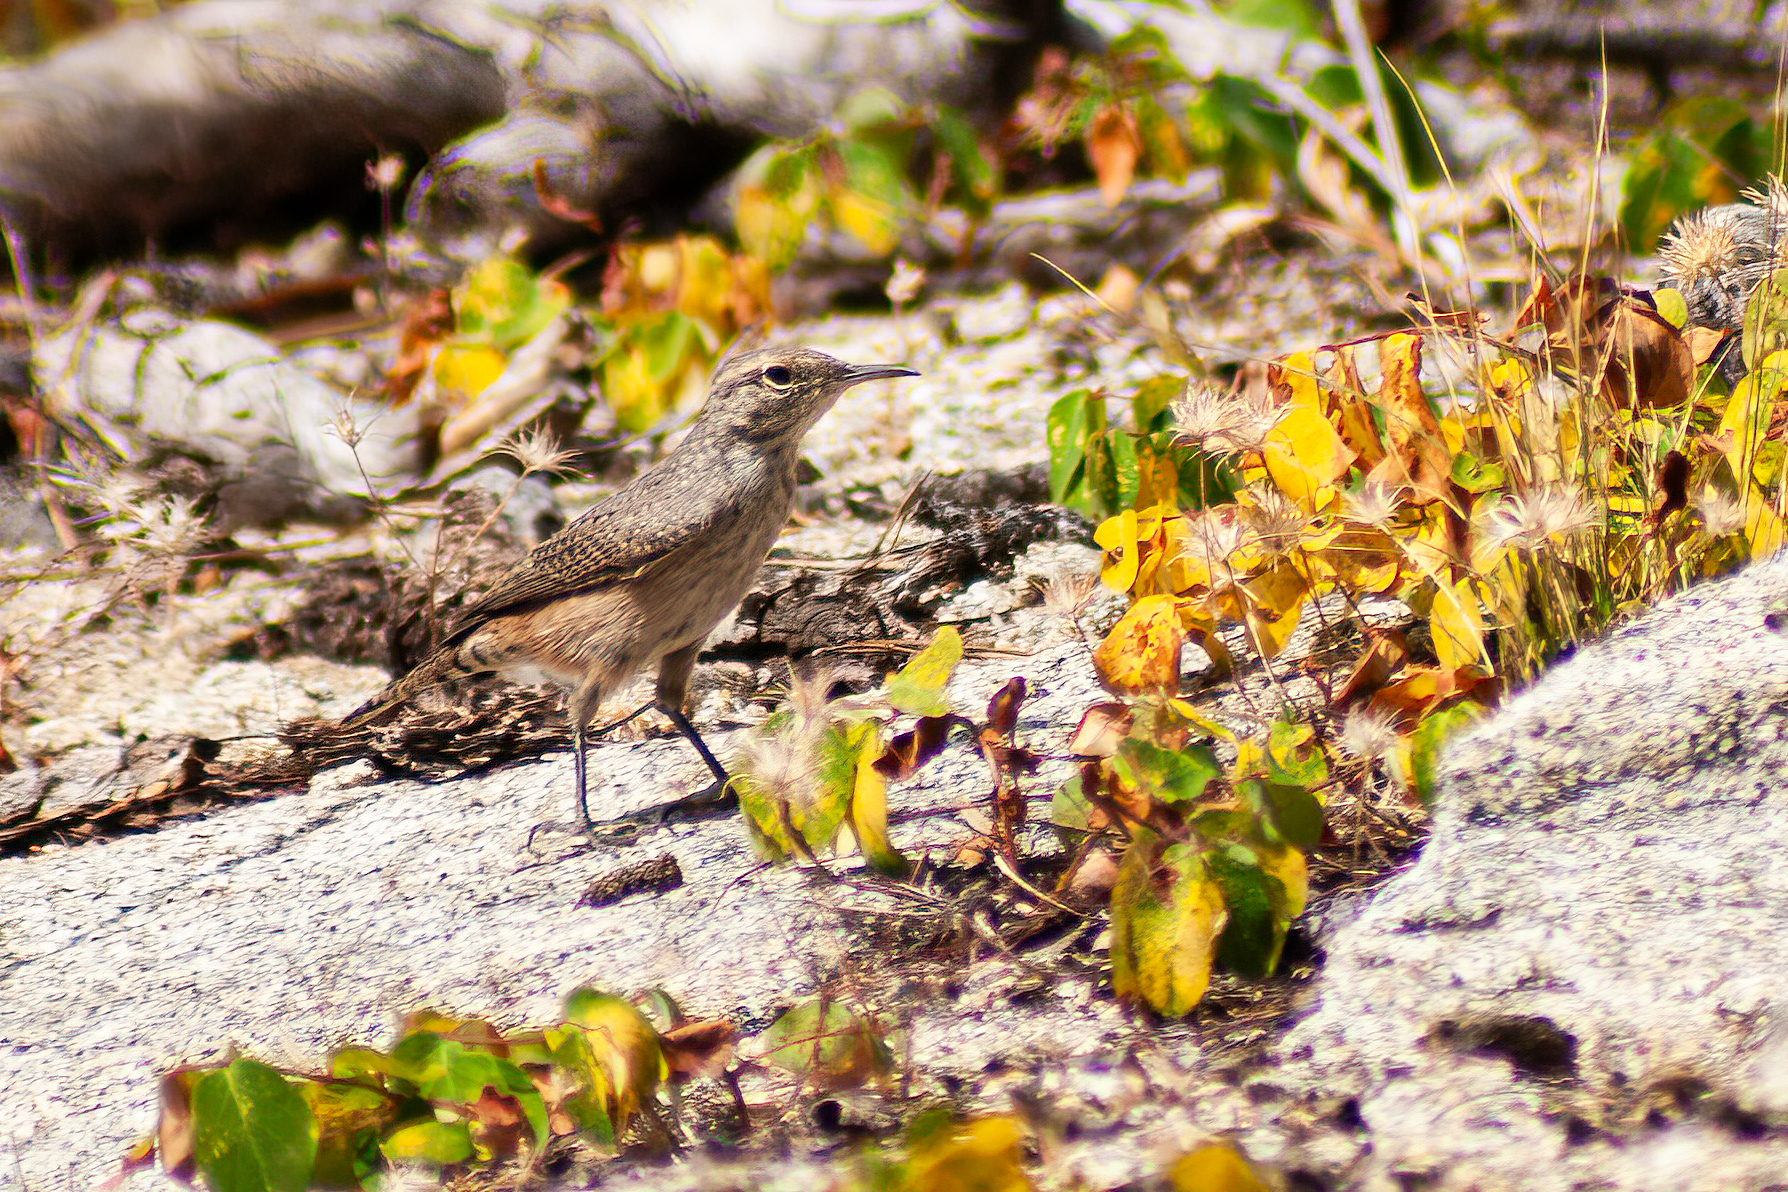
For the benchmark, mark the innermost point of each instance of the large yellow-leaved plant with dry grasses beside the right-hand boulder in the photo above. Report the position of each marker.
(1583, 471)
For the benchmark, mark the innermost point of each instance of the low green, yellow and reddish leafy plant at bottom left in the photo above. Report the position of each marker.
(453, 1095)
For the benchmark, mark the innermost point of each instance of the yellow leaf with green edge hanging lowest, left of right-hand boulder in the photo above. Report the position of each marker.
(1167, 919)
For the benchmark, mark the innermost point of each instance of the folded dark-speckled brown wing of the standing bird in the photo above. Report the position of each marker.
(609, 544)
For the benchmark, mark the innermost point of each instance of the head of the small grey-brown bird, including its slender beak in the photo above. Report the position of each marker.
(773, 396)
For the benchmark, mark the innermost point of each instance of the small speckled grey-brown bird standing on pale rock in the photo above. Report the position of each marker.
(646, 575)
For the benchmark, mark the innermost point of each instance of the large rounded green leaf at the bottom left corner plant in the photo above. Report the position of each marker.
(253, 1130)
